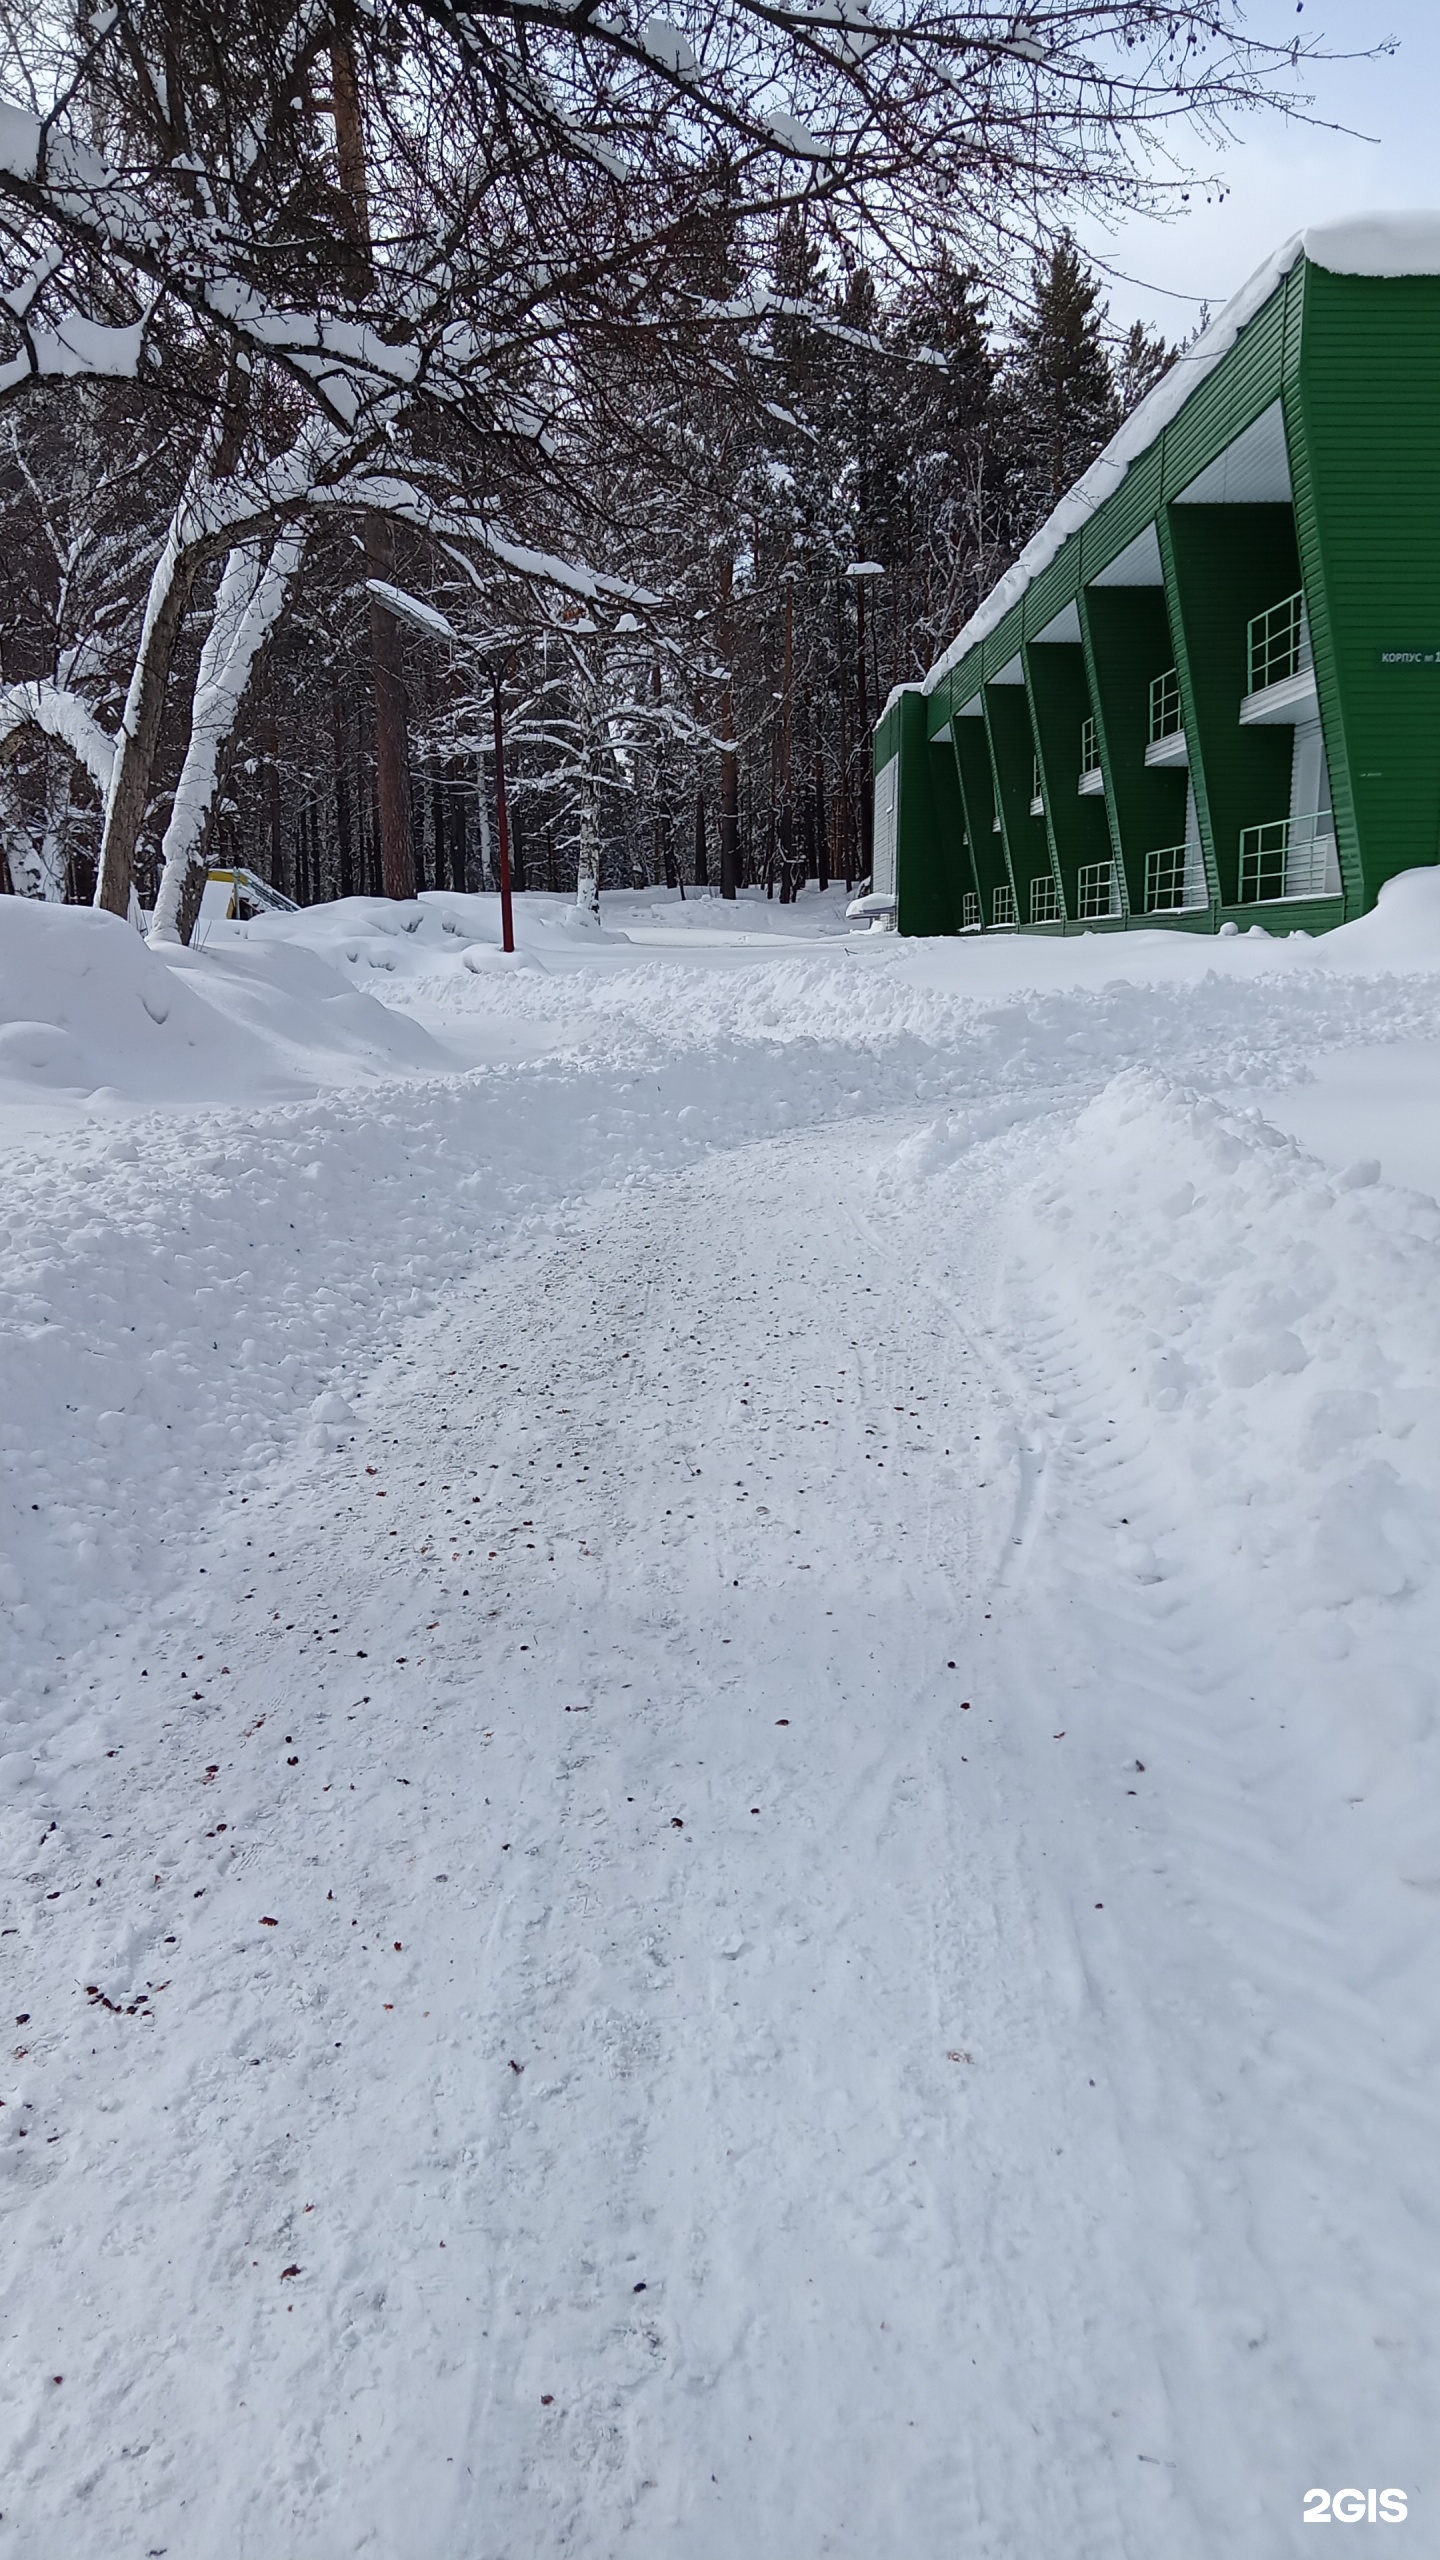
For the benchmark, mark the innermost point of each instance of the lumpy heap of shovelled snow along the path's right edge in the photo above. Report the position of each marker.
(1270, 1335)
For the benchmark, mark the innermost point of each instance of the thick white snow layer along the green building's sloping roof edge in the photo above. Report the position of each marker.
(1370, 244)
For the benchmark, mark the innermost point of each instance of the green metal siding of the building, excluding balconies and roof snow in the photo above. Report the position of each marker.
(1357, 370)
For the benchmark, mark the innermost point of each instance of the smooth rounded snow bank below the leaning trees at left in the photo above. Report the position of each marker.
(88, 1010)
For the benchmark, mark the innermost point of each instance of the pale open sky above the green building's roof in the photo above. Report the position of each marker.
(1282, 178)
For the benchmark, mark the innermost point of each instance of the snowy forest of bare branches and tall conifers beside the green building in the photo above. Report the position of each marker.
(373, 378)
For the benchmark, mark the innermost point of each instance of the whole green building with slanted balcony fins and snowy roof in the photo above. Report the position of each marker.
(1211, 687)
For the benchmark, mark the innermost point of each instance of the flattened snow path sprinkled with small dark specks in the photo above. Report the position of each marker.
(865, 2285)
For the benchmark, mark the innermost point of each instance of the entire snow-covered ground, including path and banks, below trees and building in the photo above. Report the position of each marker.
(860, 1522)
